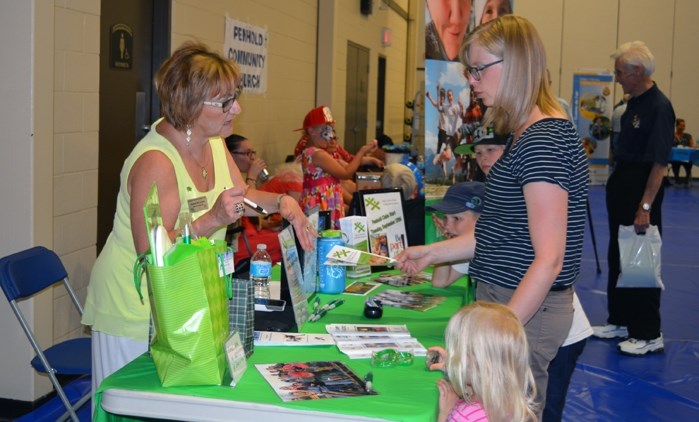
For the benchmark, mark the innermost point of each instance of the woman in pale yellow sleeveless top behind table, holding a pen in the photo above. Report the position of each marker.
(185, 156)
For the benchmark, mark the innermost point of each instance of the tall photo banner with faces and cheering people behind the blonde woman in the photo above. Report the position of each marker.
(452, 111)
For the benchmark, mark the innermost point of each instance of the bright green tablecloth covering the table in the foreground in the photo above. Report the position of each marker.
(405, 393)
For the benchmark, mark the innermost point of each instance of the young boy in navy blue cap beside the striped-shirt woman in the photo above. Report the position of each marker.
(461, 206)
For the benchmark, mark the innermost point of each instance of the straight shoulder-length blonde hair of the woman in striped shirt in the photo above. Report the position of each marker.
(524, 82)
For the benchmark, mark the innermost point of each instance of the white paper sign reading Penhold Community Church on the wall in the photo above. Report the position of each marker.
(247, 45)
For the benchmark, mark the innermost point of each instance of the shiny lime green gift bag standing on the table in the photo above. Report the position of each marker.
(189, 306)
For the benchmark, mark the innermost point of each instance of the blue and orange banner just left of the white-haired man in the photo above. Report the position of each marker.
(592, 111)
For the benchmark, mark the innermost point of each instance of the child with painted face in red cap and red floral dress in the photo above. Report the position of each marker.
(321, 172)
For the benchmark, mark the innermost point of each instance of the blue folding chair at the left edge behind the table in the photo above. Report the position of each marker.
(24, 274)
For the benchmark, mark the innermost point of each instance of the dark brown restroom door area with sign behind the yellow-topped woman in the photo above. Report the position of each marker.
(133, 42)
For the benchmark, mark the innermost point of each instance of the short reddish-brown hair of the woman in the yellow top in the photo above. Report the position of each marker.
(190, 76)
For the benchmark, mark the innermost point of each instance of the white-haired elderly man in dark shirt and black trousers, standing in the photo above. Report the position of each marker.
(635, 195)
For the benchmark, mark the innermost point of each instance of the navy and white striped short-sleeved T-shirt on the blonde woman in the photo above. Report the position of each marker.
(548, 151)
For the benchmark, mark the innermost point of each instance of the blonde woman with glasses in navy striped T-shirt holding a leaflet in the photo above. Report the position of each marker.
(527, 245)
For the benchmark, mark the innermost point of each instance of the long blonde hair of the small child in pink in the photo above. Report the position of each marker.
(488, 361)
